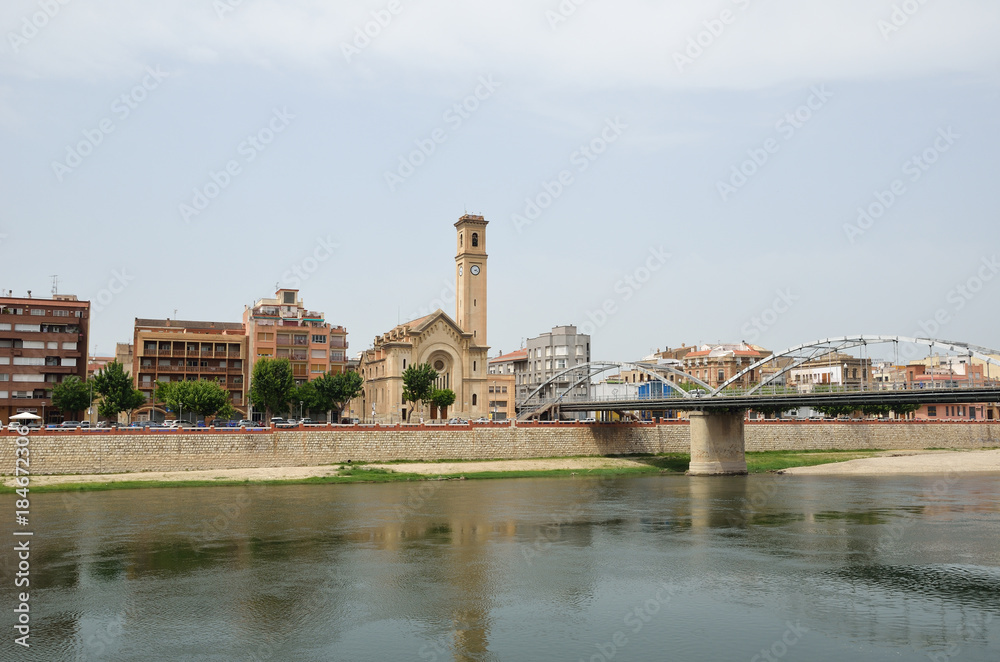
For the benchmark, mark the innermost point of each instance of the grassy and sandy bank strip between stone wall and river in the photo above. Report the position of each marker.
(663, 464)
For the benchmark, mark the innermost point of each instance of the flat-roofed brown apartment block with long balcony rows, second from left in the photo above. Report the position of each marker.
(174, 350)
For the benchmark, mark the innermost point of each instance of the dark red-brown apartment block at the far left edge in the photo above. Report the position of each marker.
(42, 341)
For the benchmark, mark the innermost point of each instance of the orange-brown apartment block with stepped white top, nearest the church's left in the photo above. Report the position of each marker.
(282, 328)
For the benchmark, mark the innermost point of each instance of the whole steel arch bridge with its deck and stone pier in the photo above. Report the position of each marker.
(717, 412)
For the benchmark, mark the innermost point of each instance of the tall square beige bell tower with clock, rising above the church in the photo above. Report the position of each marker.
(470, 277)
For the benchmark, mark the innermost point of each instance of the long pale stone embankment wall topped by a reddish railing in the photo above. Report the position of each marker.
(95, 452)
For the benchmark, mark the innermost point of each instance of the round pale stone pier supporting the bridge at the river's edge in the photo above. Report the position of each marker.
(717, 446)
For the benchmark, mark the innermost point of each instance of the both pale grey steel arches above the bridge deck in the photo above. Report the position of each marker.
(562, 384)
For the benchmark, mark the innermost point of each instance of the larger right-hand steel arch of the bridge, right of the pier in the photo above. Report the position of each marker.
(818, 348)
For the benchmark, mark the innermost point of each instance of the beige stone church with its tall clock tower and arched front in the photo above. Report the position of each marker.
(454, 346)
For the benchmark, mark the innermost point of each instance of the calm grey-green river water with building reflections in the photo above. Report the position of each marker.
(643, 568)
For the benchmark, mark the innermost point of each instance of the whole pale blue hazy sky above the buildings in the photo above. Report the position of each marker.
(656, 173)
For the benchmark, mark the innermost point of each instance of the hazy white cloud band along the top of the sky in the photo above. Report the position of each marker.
(601, 45)
